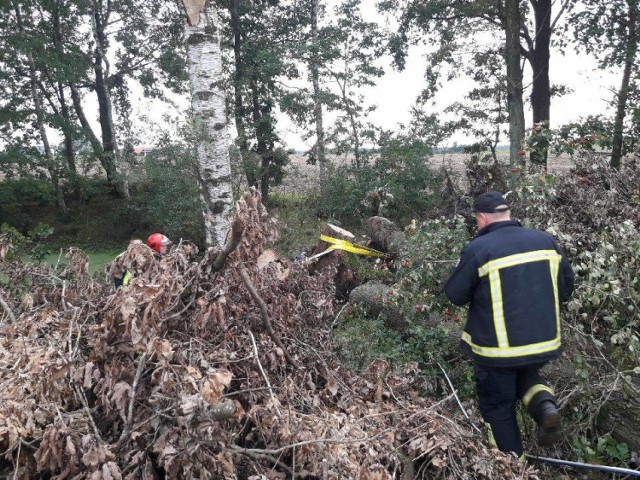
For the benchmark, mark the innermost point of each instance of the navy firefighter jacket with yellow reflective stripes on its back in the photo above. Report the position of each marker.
(514, 279)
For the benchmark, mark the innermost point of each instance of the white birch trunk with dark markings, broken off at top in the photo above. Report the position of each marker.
(210, 123)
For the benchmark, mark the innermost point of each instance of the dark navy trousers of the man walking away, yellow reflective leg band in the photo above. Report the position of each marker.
(499, 388)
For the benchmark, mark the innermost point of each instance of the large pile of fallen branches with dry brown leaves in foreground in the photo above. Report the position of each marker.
(220, 368)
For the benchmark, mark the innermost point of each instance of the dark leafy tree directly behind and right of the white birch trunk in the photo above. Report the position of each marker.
(261, 35)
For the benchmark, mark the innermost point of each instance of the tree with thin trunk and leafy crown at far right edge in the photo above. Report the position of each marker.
(609, 30)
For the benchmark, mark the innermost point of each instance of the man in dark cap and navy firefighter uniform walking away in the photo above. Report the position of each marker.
(513, 279)
